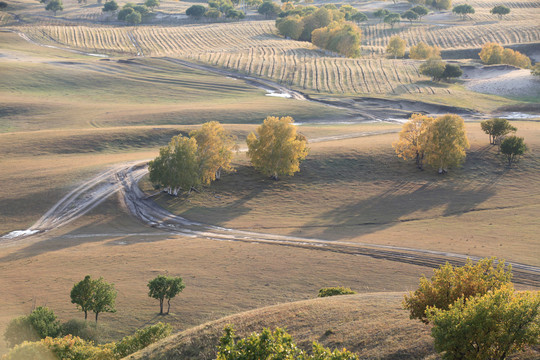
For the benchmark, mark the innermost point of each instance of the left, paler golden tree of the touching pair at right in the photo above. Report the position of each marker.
(411, 143)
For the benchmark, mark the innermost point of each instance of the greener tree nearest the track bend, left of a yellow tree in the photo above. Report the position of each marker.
(177, 167)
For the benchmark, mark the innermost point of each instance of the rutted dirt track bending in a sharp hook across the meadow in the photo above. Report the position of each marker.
(124, 178)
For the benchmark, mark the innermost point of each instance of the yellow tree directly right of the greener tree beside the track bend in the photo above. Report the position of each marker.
(214, 149)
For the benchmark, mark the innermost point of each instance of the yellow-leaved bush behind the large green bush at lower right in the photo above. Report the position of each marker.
(449, 284)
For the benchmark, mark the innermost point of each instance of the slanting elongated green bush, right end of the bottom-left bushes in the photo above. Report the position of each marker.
(141, 339)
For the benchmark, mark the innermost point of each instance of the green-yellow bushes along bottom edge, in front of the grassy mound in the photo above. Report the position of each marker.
(276, 344)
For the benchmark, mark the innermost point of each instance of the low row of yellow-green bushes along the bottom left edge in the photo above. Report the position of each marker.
(74, 347)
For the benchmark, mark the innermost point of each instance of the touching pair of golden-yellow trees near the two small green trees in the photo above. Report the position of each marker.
(440, 142)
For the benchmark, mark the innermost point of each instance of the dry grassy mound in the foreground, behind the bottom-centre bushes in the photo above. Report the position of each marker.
(374, 325)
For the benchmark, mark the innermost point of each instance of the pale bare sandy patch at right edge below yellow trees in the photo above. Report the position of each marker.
(502, 80)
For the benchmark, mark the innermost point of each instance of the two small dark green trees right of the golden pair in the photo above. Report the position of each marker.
(510, 146)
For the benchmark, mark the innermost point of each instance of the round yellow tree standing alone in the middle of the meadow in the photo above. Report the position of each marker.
(277, 149)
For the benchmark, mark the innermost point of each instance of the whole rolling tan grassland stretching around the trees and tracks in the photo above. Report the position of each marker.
(86, 101)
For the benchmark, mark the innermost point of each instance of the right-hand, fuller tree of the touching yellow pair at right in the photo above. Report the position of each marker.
(446, 142)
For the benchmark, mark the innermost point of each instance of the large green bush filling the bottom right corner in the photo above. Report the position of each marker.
(492, 326)
